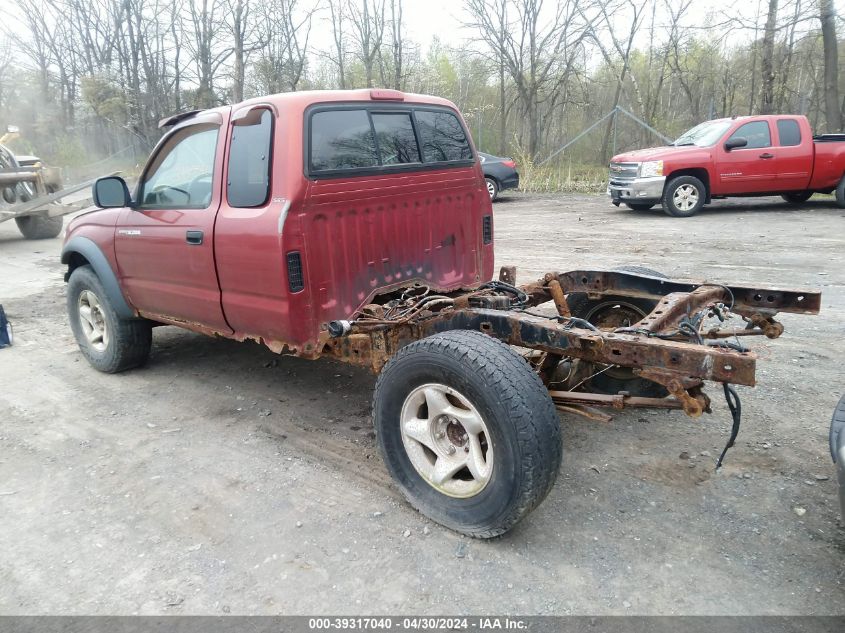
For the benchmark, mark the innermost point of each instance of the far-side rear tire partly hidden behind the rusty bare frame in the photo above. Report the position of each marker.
(614, 311)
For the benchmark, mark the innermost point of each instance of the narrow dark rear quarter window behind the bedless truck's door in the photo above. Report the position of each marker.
(248, 182)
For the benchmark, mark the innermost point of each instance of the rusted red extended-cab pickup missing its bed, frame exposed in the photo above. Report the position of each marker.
(357, 225)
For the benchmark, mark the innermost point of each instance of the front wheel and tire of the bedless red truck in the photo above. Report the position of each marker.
(111, 344)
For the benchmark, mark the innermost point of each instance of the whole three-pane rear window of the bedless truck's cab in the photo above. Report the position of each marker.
(366, 139)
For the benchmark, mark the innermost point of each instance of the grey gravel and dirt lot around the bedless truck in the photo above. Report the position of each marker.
(224, 479)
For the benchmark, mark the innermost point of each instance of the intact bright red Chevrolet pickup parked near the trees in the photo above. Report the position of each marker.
(741, 156)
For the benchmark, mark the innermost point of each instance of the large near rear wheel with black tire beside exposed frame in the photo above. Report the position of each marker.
(494, 387)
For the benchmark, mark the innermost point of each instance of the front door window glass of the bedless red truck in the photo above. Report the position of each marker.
(180, 175)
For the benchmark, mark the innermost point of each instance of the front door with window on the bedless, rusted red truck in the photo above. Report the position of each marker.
(165, 244)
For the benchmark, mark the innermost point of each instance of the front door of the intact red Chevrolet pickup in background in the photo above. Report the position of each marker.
(749, 169)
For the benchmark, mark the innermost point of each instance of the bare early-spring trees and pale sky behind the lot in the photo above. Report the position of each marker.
(85, 79)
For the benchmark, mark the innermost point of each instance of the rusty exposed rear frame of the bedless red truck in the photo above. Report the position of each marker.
(663, 347)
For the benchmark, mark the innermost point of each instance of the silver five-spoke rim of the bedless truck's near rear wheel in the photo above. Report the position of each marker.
(446, 440)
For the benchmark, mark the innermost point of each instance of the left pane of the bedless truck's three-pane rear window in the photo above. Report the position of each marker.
(342, 139)
